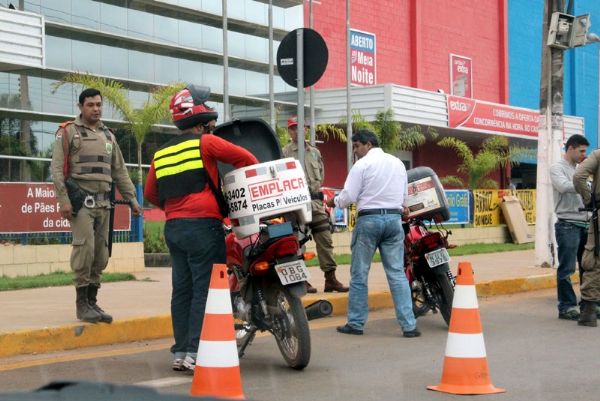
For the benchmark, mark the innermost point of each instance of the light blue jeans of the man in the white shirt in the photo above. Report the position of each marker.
(384, 232)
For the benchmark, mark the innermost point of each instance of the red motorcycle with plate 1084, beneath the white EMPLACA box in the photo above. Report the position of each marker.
(267, 277)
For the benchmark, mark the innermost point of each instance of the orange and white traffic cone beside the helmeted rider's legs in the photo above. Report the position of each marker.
(217, 371)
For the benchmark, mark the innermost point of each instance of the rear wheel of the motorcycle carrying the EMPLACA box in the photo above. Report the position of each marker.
(290, 328)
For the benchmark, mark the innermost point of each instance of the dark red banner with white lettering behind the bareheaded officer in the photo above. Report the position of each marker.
(31, 207)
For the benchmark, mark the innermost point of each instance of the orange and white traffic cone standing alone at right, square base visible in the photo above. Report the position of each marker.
(465, 364)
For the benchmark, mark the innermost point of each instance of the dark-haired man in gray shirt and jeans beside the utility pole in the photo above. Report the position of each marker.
(571, 228)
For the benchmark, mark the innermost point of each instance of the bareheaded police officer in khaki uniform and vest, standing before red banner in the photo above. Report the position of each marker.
(87, 160)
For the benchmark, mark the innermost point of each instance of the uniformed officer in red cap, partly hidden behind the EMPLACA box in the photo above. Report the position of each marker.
(313, 168)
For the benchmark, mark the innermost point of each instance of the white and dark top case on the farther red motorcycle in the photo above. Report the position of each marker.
(426, 198)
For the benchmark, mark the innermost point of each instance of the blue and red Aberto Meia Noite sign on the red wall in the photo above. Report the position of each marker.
(363, 51)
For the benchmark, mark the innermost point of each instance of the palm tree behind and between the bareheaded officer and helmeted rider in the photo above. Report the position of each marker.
(138, 121)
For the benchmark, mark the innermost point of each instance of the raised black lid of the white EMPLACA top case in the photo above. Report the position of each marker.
(252, 134)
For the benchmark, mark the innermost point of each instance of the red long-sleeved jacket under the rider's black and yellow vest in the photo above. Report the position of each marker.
(201, 204)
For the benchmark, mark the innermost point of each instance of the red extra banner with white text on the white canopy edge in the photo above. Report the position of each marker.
(507, 120)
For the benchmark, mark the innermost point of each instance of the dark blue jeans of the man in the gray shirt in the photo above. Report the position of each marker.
(570, 240)
